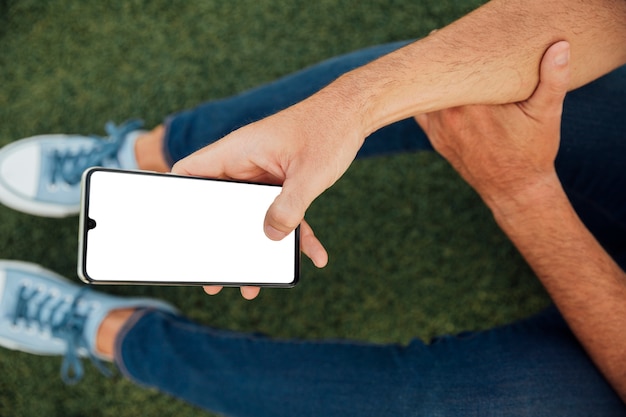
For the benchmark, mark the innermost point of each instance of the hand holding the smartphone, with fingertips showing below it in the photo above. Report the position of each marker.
(306, 148)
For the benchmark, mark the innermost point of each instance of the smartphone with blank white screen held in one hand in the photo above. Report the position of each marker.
(140, 227)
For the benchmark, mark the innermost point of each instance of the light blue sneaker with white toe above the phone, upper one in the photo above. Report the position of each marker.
(41, 175)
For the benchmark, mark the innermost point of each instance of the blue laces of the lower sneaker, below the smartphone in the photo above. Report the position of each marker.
(60, 318)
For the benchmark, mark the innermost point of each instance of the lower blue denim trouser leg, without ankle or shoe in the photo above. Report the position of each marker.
(531, 368)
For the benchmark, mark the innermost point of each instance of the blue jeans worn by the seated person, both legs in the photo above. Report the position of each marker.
(534, 367)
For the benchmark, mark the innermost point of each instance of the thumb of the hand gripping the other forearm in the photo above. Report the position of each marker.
(554, 78)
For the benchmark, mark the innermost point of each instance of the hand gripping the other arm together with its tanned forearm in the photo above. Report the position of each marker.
(507, 154)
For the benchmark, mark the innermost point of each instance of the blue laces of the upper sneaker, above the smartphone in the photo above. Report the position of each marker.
(69, 166)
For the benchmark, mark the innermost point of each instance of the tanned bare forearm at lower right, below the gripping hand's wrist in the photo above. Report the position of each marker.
(585, 283)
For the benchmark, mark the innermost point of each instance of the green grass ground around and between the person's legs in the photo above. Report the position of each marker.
(414, 252)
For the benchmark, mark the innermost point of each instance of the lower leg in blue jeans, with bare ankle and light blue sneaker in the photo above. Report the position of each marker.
(534, 367)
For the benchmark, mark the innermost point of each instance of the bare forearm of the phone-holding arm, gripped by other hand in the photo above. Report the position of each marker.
(490, 56)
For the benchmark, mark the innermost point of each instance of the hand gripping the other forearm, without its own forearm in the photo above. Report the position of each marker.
(506, 149)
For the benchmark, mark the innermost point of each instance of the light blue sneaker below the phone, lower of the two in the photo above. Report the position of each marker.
(46, 314)
